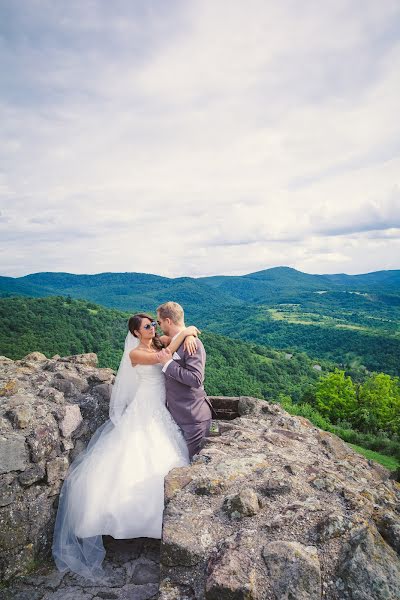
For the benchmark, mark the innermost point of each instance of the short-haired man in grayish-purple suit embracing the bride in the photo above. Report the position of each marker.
(184, 378)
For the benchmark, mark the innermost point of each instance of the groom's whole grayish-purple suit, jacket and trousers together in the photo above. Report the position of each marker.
(186, 399)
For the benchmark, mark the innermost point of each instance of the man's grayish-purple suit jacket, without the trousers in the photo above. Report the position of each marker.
(184, 379)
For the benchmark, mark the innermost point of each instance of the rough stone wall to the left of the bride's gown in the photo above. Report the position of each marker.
(49, 408)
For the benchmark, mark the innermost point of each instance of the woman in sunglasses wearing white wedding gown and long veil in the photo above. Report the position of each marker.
(116, 486)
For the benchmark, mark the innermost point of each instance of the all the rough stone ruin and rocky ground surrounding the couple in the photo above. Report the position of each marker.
(272, 508)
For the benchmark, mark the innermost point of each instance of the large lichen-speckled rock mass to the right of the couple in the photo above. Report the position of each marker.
(276, 509)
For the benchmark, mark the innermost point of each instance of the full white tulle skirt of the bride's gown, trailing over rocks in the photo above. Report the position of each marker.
(116, 486)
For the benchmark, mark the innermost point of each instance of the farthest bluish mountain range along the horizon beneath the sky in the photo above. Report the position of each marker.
(124, 290)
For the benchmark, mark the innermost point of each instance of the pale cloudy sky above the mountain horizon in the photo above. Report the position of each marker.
(199, 137)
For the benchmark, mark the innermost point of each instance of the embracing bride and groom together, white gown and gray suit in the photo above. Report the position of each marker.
(159, 417)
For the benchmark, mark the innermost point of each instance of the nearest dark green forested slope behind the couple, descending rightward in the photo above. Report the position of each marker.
(63, 326)
